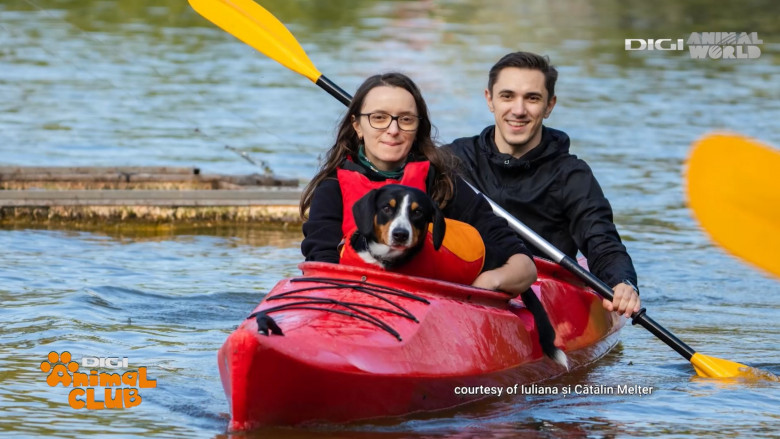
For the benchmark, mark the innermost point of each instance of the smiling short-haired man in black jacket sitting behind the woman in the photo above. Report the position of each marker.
(527, 169)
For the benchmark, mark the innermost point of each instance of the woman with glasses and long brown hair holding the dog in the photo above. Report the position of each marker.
(386, 136)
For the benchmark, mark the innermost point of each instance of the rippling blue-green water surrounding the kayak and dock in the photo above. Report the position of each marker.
(150, 83)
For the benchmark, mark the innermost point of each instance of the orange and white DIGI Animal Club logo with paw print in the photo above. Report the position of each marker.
(119, 391)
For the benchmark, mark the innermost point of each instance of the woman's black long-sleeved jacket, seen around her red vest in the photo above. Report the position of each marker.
(322, 231)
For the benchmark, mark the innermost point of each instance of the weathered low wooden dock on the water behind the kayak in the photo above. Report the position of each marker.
(143, 194)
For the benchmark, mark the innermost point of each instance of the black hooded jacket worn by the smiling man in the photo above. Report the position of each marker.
(552, 192)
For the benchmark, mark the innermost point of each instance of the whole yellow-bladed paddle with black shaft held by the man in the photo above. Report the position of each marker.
(252, 24)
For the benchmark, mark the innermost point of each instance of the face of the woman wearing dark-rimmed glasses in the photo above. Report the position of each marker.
(387, 148)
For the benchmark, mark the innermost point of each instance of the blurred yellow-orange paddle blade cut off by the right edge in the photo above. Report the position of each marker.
(734, 192)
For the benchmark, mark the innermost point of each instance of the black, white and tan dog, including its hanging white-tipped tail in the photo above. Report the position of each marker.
(392, 223)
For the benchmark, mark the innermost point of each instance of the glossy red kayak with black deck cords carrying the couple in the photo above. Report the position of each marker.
(360, 344)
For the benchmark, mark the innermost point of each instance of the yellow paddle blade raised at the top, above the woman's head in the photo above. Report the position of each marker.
(255, 26)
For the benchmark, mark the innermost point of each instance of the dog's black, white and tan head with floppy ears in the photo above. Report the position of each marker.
(394, 220)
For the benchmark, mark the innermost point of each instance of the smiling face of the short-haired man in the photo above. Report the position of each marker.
(519, 102)
